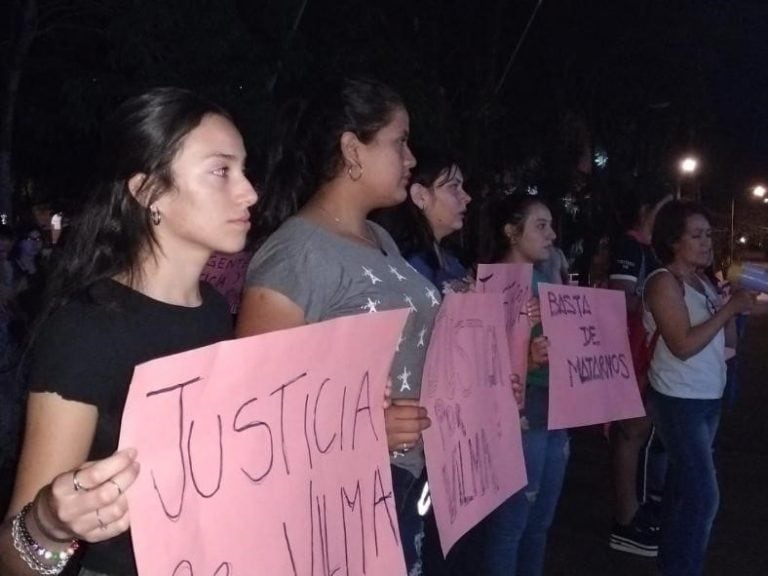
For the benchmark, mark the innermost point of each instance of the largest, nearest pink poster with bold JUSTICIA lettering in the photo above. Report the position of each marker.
(267, 455)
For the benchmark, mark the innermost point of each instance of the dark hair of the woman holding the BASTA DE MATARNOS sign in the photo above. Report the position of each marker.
(497, 212)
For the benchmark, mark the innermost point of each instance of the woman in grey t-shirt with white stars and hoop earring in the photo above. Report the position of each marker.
(346, 154)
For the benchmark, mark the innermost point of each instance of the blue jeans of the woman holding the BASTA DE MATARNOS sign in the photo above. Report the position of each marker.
(516, 532)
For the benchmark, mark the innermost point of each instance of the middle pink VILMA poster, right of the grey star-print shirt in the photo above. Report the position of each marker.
(473, 448)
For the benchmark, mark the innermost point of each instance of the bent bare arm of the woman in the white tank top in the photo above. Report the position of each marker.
(666, 302)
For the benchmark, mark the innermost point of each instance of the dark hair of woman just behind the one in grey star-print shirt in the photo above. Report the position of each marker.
(406, 222)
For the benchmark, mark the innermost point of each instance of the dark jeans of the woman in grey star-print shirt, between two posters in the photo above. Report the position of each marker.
(408, 490)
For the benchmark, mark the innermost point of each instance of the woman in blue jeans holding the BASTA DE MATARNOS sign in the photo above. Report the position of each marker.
(520, 231)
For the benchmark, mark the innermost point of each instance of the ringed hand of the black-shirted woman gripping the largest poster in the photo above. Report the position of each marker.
(87, 503)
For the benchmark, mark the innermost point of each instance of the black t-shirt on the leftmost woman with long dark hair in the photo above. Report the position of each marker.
(86, 351)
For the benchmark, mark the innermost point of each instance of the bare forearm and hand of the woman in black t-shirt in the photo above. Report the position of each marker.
(58, 437)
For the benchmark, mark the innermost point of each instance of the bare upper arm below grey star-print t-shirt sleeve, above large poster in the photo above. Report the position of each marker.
(265, 310)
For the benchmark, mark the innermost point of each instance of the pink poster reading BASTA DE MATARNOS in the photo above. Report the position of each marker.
(591, 377)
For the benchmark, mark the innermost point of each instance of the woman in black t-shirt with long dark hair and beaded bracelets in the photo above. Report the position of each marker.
(171, 191)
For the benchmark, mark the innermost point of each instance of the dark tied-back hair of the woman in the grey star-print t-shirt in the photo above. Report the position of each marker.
(306, 150)
